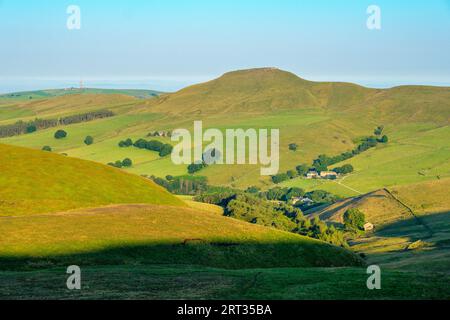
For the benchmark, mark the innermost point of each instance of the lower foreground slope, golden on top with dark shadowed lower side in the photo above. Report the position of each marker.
(155, 235)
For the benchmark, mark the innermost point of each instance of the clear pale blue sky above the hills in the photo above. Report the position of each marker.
(168, 44)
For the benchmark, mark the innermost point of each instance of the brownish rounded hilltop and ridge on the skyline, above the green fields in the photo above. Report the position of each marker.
(268, 90)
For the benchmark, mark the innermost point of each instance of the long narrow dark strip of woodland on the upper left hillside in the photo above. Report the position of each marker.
(22, 127)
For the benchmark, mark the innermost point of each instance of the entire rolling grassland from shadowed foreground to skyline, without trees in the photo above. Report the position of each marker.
(57, 209)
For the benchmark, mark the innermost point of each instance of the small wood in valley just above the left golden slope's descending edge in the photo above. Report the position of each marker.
(183, 185)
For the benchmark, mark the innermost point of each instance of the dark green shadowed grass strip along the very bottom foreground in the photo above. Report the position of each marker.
(174, 283)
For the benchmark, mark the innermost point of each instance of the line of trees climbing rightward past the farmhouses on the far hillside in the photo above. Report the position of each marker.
(323, 161)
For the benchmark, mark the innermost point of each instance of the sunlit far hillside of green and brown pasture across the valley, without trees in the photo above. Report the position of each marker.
(321, 117)
